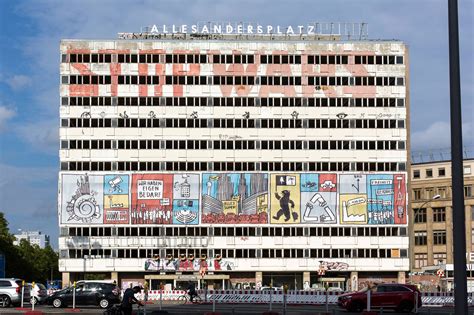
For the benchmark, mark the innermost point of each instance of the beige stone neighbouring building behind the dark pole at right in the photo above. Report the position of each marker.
(431, 232)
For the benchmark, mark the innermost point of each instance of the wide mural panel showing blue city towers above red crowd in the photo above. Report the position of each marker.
(233, 198)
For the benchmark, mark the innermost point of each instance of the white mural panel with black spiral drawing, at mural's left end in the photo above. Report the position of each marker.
(82, 199)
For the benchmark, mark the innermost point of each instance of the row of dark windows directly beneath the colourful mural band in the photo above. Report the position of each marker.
(234, 231)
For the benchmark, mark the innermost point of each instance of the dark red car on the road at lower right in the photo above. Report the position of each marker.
(401, 297)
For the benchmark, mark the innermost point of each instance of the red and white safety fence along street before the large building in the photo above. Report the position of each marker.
(292, 296)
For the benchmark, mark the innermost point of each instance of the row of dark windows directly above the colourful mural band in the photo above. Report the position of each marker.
(233, 166)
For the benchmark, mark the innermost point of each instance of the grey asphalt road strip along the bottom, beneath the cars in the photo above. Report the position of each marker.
(225, 309)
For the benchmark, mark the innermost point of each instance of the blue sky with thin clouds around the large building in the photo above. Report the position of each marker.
(30, 32)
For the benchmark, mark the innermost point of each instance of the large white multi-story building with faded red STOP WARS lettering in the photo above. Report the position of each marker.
(241, 160)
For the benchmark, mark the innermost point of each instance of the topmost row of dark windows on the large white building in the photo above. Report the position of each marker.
(228, 59)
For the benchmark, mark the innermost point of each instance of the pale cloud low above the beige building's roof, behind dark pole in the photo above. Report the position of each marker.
(438, 136)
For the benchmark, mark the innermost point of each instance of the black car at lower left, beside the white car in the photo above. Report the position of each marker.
(87, 293)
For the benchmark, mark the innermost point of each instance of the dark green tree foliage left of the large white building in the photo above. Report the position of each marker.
(26, 261)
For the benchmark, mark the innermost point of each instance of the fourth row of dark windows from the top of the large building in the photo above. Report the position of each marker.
(231, 123)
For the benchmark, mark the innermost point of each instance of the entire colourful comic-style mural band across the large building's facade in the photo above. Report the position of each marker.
(233, 198)
